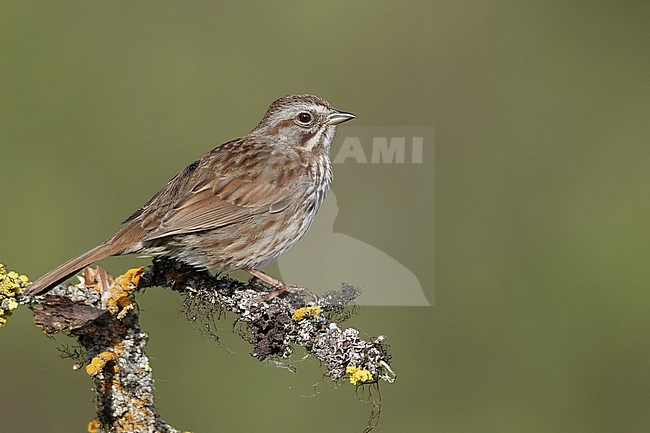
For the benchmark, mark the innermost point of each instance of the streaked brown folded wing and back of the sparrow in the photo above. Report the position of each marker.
(232, 183)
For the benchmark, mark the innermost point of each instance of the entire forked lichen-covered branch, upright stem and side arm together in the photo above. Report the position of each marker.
(100, 312)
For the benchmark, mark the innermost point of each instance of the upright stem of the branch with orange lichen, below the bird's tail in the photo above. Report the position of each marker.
(100, 313)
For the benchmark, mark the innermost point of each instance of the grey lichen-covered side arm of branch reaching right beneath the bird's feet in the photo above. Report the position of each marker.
(277, 324)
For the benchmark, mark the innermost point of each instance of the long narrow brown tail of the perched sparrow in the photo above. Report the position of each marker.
(72, 266)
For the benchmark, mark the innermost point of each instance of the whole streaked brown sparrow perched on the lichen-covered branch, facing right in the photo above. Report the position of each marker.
(241, 205)
